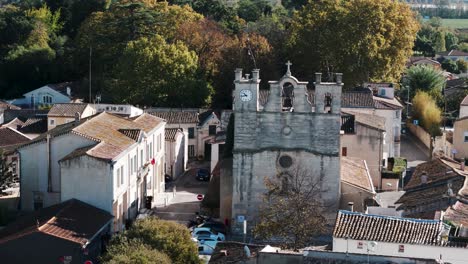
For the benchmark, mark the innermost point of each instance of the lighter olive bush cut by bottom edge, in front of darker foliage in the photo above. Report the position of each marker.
(124, 251)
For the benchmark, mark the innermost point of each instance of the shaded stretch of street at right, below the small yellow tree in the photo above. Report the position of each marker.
(413, 150)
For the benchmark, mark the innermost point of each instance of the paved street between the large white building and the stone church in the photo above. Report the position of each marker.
(183, 206)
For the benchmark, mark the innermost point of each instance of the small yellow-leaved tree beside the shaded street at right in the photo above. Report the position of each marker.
(425, 109)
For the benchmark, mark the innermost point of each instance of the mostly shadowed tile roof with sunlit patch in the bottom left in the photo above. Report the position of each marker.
(71, 220)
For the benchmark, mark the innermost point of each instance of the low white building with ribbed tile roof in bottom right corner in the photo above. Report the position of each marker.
(394, 236)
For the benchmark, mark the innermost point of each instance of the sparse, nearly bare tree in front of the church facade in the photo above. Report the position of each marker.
(291, 210)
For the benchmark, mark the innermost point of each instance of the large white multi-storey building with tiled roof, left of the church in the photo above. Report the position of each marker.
(110, 162)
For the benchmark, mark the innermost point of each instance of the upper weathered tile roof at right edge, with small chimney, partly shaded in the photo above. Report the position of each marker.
(439, 169)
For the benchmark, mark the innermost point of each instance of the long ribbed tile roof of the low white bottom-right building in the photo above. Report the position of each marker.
(359, 226)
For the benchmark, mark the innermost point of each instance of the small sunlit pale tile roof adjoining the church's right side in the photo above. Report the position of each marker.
(354, 172)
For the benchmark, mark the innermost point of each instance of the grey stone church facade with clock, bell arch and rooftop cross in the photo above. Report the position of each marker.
(279, 130)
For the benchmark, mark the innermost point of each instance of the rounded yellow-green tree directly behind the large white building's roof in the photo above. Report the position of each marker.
(158, 73)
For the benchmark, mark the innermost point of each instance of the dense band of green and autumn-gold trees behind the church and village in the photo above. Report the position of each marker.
(182, 53)
